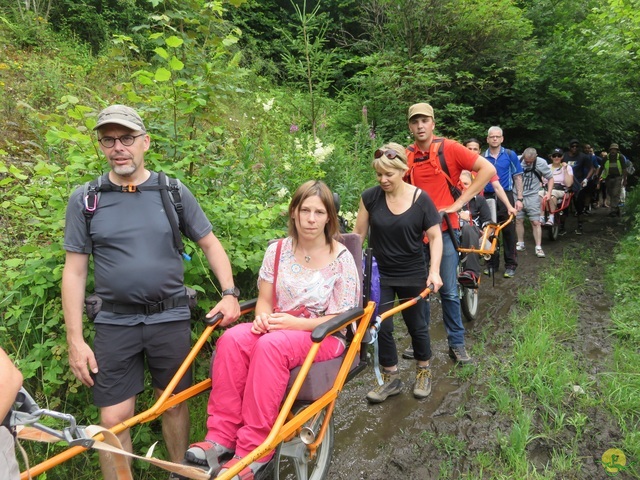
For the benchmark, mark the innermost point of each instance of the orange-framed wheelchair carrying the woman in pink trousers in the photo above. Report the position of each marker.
(303, 434)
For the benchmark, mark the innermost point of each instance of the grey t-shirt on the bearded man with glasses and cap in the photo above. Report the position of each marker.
(135, 259)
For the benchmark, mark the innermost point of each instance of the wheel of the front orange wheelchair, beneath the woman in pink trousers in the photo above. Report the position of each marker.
(292, 462)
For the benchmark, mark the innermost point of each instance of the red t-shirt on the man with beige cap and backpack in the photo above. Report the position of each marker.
(428, 174)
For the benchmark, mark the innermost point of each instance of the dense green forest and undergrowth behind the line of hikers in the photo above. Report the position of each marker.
(246, 99)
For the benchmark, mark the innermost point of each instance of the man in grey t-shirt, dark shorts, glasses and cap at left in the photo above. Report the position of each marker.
(139, 277)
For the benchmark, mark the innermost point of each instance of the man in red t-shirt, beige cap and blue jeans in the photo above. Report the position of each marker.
(434, 166)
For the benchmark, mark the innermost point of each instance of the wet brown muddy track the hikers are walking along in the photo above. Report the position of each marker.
(383, 441)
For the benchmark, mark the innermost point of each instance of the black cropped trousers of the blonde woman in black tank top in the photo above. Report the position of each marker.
(415, 320)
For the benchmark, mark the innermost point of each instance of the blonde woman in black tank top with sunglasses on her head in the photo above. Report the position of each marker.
(397, 216)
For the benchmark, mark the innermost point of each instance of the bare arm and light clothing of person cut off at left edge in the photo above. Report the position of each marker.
(10, 383)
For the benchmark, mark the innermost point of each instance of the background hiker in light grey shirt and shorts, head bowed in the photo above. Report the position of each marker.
(535, 169)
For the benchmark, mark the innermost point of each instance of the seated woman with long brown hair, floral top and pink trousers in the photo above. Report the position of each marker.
(305, 280)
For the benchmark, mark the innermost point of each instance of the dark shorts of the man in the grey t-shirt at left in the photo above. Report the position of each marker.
(121, 352)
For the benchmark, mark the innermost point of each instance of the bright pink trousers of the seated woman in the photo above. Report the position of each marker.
(250, 376)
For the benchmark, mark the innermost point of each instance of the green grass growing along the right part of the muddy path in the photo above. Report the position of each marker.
(548, 391)
